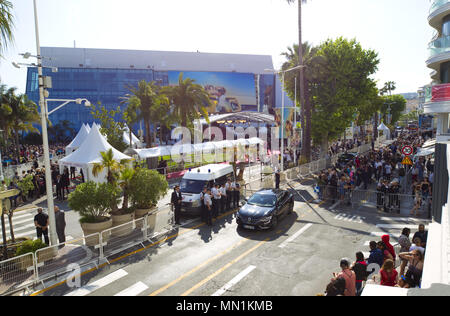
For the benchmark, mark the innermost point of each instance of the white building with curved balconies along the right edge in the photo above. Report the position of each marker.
(437, 102)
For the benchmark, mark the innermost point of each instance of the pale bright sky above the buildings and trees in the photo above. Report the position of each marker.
(396, 29)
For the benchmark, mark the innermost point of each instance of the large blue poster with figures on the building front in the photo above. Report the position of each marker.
(229, 92)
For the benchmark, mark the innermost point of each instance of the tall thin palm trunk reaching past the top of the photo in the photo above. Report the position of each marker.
(304, 102)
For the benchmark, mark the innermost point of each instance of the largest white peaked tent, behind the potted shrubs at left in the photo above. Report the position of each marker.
(89, 154)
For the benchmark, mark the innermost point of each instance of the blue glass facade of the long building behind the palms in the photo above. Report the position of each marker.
(108, 86)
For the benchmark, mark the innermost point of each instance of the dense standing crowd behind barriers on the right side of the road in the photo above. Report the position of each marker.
(381, 171)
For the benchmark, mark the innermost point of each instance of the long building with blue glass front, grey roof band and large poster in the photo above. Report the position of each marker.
(235, 82)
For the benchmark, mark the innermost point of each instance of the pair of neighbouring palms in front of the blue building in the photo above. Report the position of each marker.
(180, 104)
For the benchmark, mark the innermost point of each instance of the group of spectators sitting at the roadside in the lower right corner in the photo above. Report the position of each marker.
(384, 266)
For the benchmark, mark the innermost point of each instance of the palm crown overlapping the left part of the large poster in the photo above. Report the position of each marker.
(189, 101)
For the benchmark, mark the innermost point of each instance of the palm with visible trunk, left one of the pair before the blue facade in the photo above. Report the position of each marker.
(145, 97)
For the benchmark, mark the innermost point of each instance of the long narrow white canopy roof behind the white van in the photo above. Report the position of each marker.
(196, 148)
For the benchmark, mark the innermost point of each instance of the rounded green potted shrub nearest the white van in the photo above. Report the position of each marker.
(146, 188)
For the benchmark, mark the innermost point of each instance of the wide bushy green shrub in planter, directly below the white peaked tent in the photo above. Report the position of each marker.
(94, 201)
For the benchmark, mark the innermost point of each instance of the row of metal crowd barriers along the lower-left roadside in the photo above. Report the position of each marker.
(28, 270)
